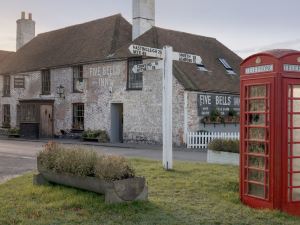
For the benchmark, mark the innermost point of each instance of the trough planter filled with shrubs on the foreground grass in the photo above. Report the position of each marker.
(87, 170)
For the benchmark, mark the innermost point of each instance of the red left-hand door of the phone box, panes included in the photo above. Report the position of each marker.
(256, 136)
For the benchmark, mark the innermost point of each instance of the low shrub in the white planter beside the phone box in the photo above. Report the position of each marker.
(224, 145)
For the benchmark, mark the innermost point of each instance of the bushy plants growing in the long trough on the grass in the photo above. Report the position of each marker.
(81, 162)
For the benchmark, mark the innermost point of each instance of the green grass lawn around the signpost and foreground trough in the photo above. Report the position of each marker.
(194, 193)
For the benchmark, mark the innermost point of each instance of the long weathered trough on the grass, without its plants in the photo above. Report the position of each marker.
(119, 191)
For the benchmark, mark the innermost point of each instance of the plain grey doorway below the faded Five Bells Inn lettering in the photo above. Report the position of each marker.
(116, 123)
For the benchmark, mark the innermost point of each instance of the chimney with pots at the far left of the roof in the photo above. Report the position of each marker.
(25, 30)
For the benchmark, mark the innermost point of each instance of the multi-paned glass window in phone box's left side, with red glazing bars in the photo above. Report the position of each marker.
(257, 163)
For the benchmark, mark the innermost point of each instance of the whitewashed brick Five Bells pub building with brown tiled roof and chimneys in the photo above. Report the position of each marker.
(80, 78)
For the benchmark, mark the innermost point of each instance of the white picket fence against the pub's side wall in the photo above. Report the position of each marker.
(201, 140)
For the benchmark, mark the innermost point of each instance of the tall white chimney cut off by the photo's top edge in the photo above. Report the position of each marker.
(143, 12)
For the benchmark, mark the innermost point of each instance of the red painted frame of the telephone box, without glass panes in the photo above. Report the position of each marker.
(278, 81)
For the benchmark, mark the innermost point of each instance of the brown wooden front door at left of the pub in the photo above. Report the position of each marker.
(46, 121)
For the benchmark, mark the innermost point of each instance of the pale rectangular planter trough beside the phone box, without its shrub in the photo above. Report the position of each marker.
(219, 157)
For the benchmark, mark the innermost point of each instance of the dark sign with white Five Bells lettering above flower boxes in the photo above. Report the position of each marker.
(208, 102)
